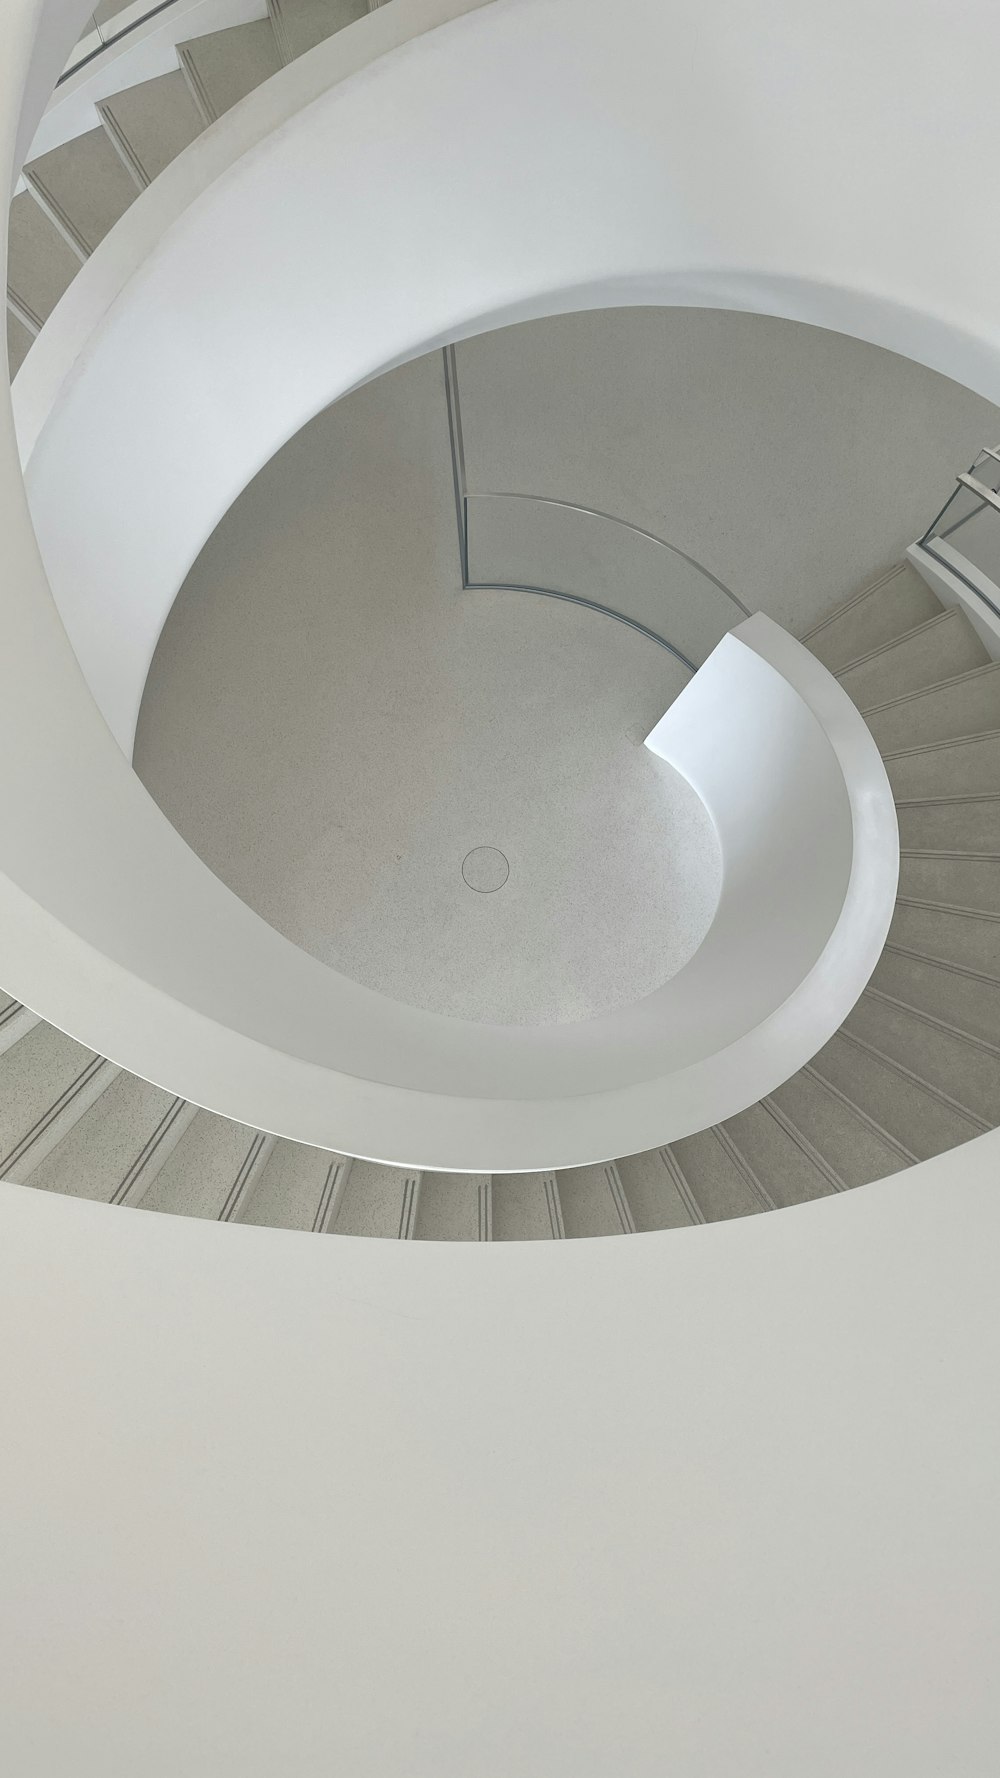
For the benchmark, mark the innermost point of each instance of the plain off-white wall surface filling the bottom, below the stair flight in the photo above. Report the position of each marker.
(718, 1503)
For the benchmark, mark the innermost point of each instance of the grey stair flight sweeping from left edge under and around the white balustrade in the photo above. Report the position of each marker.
(914, 1071)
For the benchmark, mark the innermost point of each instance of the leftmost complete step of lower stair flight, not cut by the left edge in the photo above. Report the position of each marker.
(97, 1155)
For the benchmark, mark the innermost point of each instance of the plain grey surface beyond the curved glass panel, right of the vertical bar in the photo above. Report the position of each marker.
(793, 461)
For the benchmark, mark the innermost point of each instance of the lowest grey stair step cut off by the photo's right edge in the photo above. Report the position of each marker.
(967, 1075)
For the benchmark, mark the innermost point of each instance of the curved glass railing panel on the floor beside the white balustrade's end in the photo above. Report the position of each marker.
(592, 557)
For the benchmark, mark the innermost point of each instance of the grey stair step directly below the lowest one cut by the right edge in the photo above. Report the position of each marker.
(901, 1107)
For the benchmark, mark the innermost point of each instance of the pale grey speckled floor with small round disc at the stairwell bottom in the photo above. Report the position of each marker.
(334, 726)
